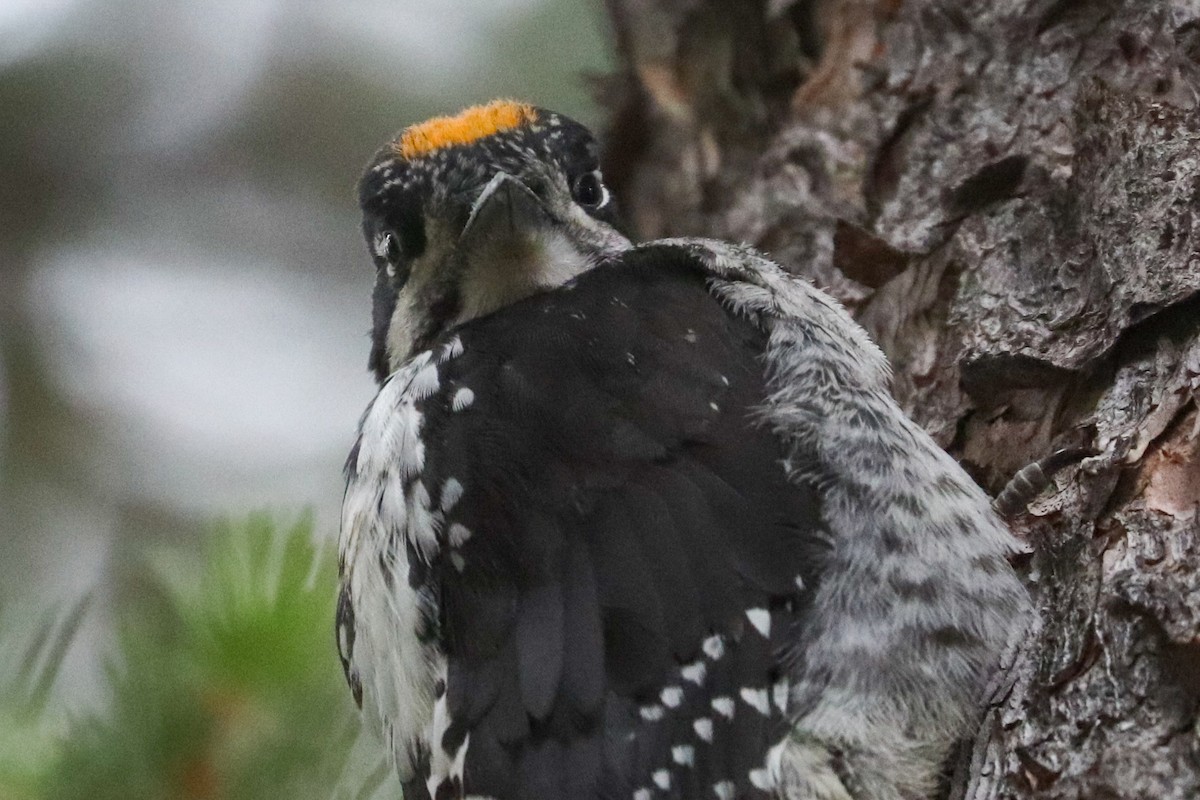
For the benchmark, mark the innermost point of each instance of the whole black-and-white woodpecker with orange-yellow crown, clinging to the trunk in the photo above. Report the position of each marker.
(640, 521)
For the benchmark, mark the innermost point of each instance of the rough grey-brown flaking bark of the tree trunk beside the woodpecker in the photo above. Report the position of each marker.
(1007, 195)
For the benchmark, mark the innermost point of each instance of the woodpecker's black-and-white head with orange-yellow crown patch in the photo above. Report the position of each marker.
(467, 214)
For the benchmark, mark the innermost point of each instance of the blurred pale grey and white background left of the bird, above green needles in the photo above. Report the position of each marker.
(185, 296)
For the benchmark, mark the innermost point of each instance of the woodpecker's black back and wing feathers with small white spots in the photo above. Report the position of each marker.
(613, 558)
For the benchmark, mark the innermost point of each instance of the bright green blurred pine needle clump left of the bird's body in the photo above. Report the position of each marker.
(226, 683)
